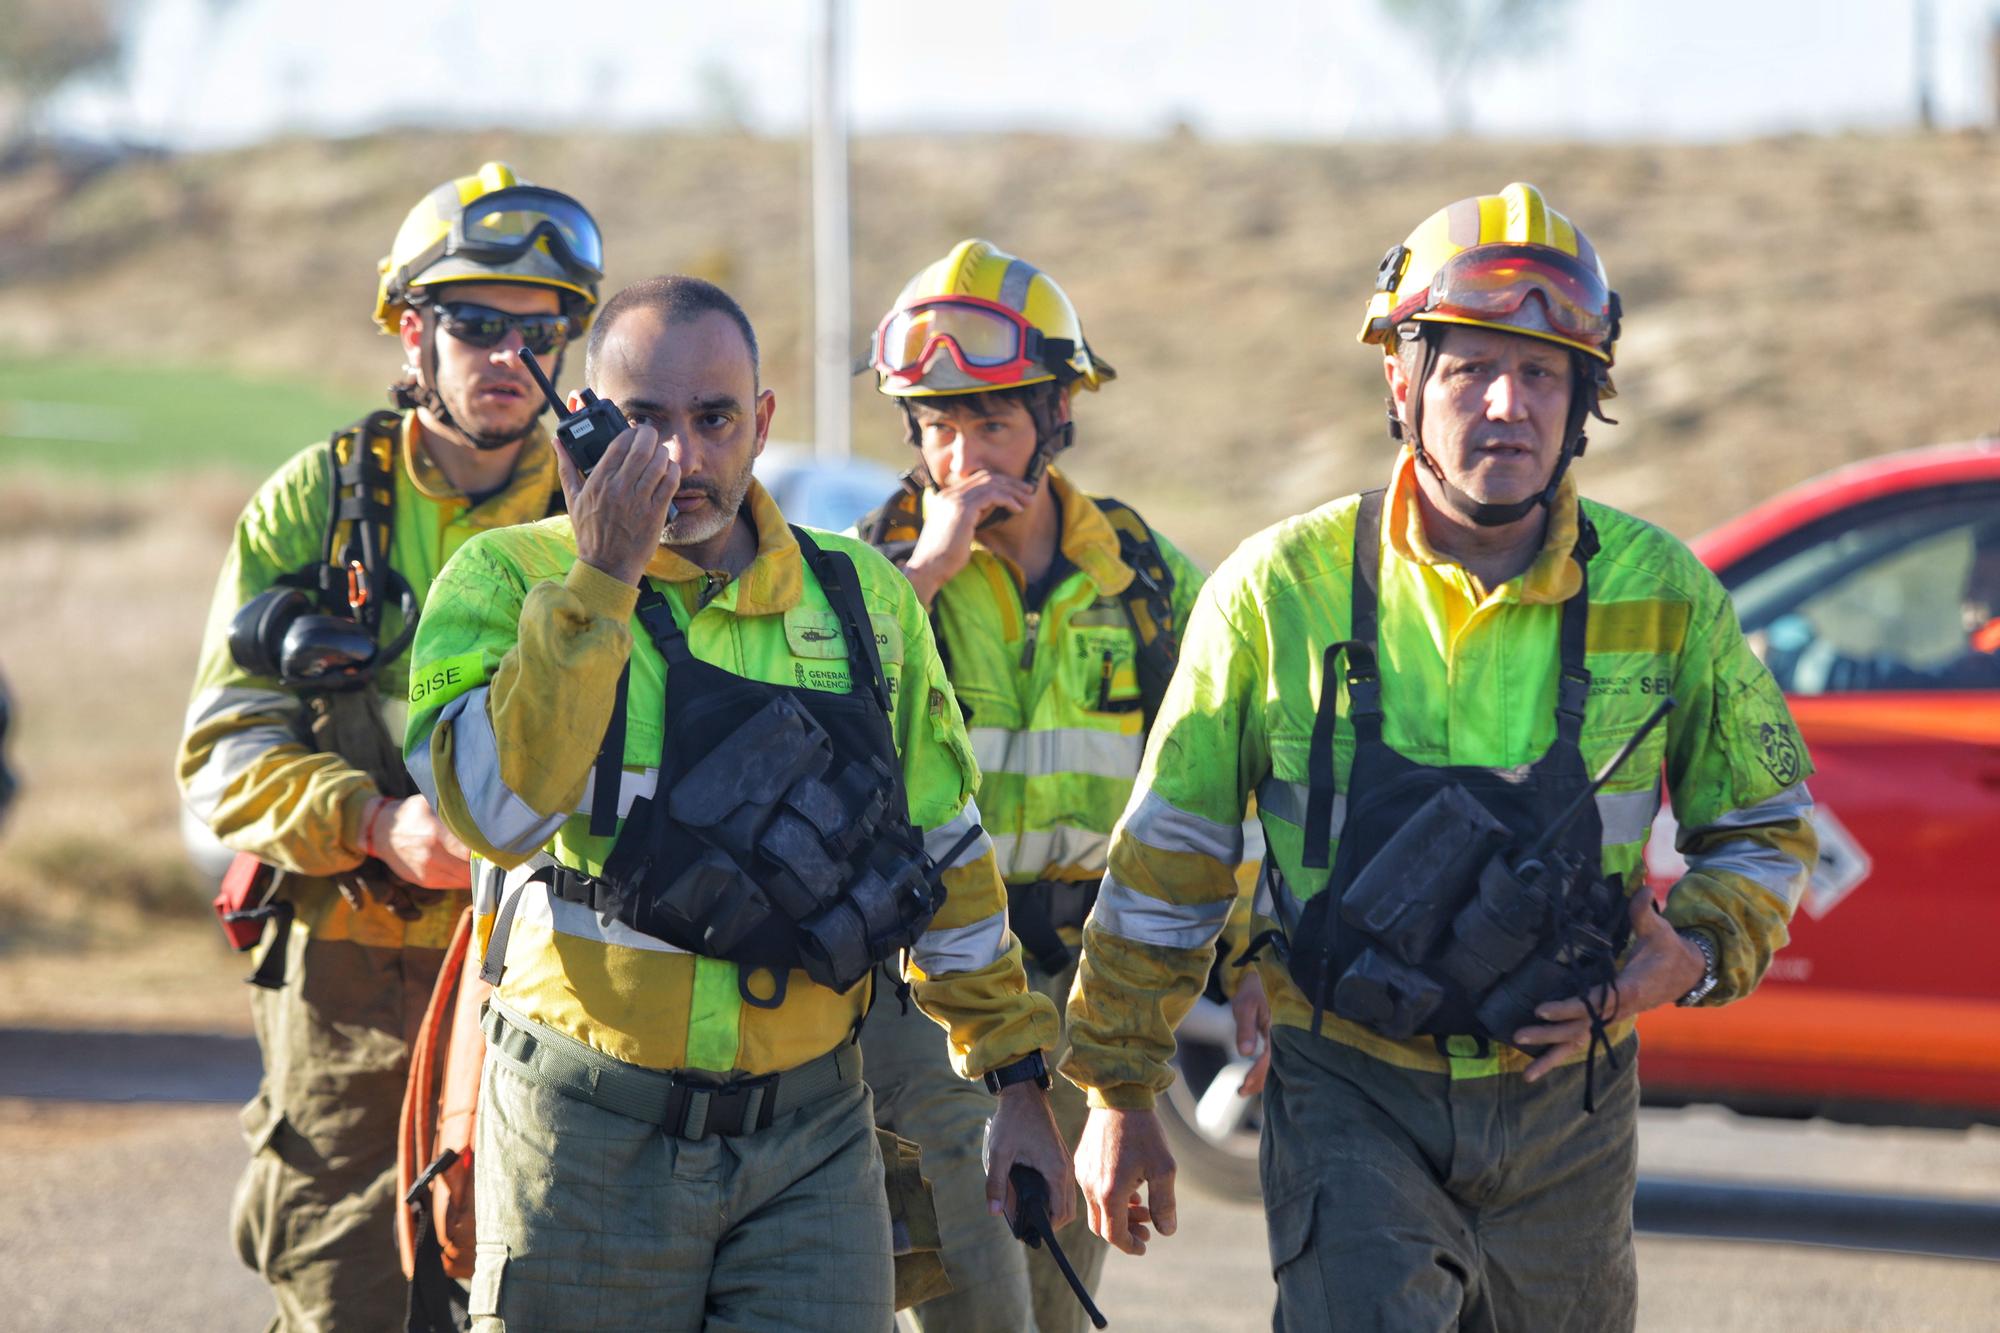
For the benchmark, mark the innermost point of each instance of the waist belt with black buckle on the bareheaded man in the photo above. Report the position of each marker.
(687, 1106)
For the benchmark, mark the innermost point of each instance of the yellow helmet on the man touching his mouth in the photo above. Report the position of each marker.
(979, 321)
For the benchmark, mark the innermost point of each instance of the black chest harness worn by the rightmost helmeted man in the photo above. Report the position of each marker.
(1461, 898)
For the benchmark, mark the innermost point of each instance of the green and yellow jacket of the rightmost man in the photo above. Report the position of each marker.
(1469, 678)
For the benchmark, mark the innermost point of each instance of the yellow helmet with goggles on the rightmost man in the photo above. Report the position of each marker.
(1499, 261)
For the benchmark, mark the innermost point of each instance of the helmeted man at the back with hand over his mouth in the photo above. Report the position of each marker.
(1057, 617)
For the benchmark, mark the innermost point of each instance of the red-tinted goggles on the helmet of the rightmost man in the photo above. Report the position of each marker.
(1491, 285)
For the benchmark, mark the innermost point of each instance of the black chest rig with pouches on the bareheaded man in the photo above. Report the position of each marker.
(779, 834)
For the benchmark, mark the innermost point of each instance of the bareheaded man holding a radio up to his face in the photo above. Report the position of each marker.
(727, 780)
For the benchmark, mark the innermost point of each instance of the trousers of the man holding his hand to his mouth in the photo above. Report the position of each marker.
(999, 1286)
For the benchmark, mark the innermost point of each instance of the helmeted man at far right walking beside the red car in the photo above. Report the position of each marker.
(1449, 1128)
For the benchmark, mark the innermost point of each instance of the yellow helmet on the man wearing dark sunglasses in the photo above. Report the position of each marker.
(493, 227)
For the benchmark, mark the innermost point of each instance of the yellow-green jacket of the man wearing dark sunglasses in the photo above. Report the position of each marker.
(247, 766)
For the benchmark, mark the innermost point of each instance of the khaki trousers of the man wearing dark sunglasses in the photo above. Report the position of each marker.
(315, 1210)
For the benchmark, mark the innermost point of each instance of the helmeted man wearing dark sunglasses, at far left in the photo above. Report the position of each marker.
(291, 752)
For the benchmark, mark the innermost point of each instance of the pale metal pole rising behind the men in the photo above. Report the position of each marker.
(831, 285)
